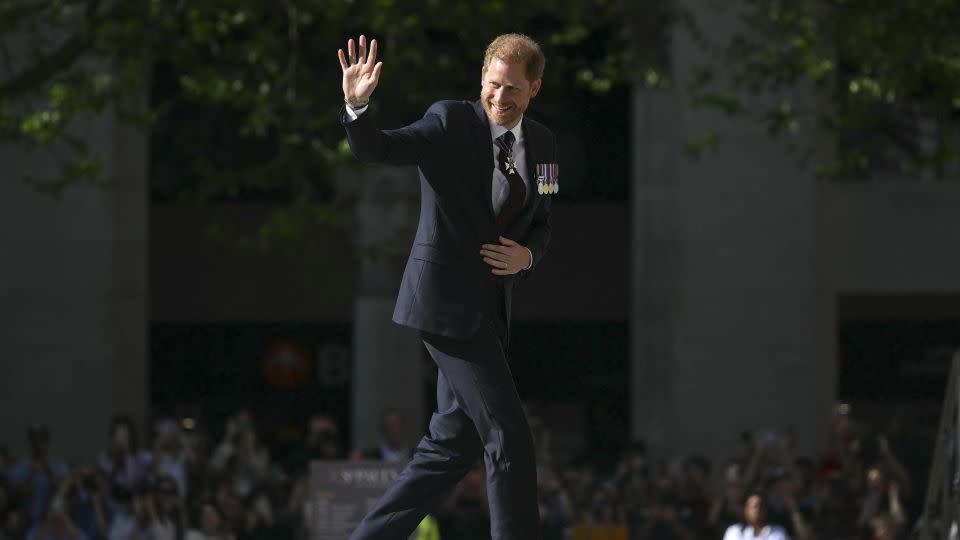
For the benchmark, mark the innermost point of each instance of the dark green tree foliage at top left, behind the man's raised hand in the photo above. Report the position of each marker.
(245, 93)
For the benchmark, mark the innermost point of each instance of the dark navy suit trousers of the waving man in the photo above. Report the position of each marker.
(479, 413)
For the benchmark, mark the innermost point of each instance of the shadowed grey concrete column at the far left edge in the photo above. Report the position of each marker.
(73, 296)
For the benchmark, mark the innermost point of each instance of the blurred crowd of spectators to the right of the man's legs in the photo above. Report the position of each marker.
(855, 490)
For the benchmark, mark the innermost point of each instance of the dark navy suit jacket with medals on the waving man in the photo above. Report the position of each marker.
(446, 288)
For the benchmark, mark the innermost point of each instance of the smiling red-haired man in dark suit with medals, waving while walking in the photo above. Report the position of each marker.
(484, 223)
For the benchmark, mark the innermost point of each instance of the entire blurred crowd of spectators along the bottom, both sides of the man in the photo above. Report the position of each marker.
(191, 481)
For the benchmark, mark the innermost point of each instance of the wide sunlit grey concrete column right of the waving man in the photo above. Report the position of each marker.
(724, 323)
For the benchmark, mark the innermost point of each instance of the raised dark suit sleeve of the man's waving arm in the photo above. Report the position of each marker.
(408, 145)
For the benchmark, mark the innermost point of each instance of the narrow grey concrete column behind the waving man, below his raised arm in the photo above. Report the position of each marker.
(387, 357)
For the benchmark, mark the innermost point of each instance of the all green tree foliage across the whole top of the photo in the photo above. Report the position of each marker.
(244, 93)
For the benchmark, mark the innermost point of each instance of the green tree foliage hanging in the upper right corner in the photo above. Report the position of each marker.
(874, 83)
